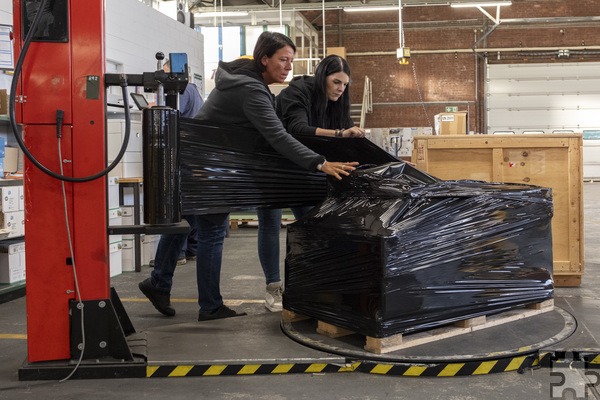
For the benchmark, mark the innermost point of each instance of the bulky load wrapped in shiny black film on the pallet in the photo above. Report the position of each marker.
(394, 250)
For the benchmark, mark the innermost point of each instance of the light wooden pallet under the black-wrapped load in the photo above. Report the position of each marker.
(404, 341)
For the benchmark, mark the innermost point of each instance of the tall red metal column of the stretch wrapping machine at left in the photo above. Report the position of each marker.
(58, 76)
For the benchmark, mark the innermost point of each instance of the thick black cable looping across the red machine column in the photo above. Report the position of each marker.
(15, 128)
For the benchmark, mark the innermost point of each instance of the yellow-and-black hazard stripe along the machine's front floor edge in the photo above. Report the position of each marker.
(432, 369)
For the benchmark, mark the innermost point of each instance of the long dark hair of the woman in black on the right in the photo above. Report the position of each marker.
(325, 113)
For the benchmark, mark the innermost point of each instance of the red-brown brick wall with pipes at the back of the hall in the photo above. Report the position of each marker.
(450, 50)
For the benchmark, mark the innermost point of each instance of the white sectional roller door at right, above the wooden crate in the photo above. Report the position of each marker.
(543, 97)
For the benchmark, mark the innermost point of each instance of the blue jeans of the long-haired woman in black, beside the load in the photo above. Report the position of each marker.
(269, 226)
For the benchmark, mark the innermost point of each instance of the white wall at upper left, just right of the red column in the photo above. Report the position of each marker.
(136, 32)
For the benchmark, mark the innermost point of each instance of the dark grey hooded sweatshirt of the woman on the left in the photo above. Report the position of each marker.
(241, 98)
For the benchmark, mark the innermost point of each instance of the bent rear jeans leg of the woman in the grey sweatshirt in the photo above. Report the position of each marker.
(167, 253)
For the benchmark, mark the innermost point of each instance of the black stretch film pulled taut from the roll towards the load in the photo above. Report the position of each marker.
(229, 168)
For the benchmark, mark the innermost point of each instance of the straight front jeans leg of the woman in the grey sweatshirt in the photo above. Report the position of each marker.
(212, 229)
